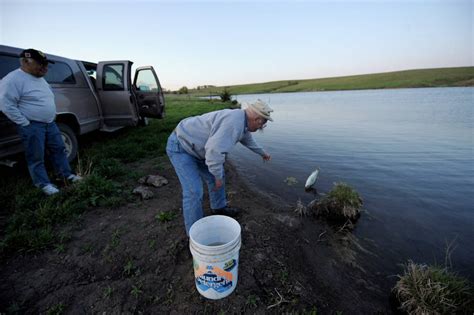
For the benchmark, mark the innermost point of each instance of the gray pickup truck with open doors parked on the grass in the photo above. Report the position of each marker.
(89, 96)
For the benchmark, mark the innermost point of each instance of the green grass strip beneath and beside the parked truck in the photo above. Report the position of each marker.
(33, 220)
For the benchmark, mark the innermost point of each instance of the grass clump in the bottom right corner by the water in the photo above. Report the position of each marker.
(424, 289)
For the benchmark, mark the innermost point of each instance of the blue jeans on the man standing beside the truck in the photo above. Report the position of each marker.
(38, 137)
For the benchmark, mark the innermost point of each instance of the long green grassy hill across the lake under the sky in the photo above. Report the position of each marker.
(441, 77)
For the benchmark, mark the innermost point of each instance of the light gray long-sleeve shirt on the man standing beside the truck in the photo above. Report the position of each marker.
(24, 97)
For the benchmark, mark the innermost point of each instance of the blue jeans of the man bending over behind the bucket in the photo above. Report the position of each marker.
(191, 171)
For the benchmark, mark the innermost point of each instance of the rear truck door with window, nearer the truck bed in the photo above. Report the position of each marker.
(114, 90)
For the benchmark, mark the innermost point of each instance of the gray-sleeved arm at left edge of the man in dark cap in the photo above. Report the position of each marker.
(9, 98)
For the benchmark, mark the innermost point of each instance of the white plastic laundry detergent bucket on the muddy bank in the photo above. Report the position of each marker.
(214, 242)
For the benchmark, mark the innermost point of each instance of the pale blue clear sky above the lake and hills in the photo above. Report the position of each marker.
(193, 43)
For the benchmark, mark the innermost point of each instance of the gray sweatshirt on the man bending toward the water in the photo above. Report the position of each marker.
(211, 136)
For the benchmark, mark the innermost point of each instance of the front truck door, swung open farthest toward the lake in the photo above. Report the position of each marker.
(149, 95)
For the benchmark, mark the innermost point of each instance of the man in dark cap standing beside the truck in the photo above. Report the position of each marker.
(27, 100)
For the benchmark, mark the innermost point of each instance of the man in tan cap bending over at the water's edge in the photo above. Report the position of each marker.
(198, 148)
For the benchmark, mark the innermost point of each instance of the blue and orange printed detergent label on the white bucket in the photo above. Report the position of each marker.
(214, 278)
